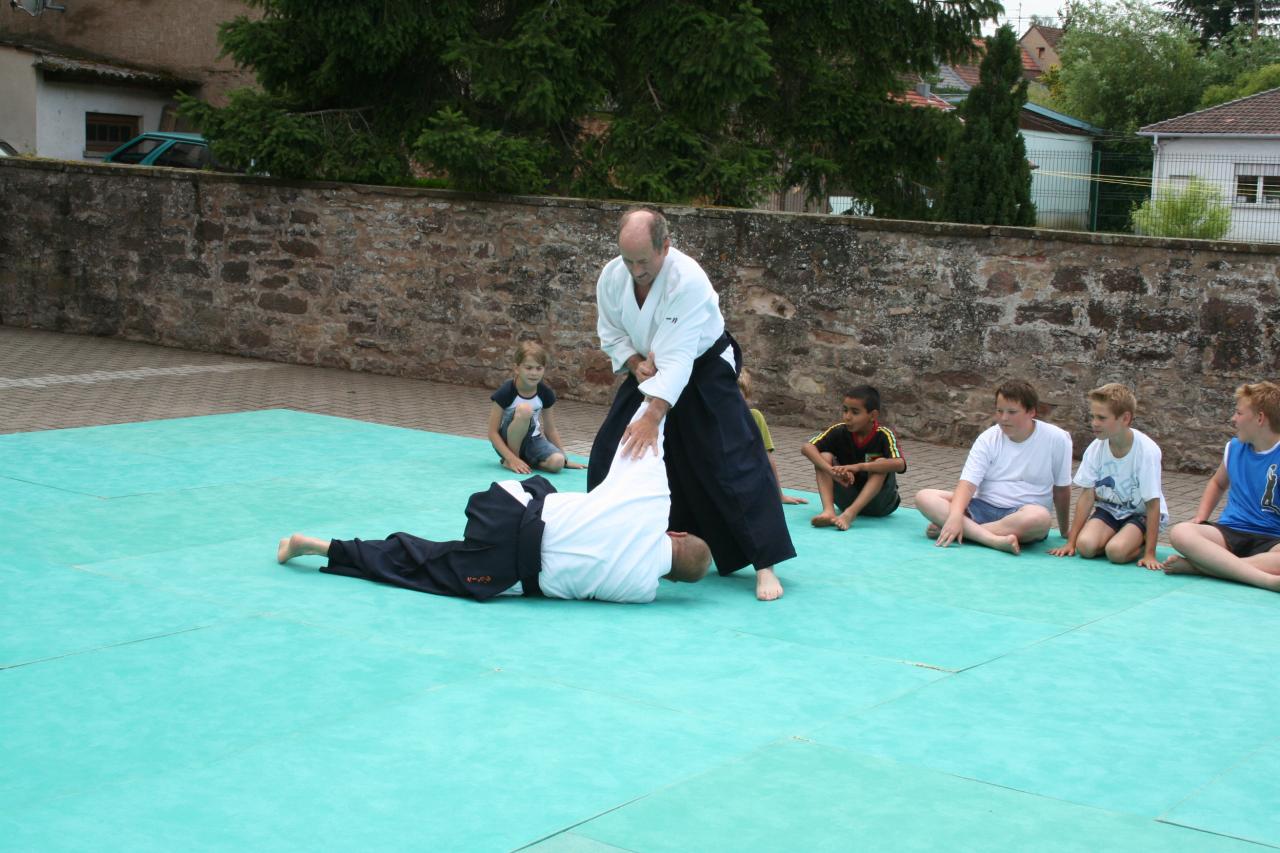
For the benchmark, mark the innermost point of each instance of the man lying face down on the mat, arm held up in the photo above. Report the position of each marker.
(527, 539)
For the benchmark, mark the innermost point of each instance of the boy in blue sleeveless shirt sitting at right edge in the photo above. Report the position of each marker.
(1245, 544)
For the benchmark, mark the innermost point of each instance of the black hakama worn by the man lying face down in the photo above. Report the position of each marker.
(501, 546)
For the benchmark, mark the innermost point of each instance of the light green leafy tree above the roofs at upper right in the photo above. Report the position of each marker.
(1126, 65)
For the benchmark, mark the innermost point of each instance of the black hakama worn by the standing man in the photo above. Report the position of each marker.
(723, 487)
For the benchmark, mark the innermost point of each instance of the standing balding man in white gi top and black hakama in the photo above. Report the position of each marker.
(656, 300)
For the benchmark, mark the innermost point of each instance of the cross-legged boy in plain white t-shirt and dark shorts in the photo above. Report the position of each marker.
(1017, 471)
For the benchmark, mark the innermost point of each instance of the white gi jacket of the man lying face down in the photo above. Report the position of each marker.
(610, 544)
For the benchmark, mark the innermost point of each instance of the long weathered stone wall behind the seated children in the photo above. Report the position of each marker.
(437, 285)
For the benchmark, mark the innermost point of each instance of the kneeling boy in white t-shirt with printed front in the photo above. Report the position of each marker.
(1122, 508)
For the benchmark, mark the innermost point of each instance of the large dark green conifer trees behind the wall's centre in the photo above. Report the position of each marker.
(711, 101)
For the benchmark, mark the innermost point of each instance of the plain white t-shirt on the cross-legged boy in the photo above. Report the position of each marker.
(1011, 475)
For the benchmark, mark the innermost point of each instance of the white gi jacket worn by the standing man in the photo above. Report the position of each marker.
(680, 321)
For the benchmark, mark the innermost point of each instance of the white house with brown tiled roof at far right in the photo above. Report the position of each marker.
(1236, 147)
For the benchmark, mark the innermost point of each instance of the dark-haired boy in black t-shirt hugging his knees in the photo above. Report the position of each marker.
(857, 464)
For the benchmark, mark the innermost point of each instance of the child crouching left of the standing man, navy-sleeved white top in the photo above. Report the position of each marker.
(522, 426)
